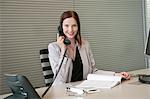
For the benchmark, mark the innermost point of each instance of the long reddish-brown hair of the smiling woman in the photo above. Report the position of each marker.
(68, 14)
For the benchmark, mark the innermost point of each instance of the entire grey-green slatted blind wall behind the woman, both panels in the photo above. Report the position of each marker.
(114, 29)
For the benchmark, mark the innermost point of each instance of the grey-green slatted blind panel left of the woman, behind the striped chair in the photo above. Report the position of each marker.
(27, 27)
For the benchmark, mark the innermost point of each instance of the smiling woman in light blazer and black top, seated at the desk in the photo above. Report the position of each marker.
(78, 61)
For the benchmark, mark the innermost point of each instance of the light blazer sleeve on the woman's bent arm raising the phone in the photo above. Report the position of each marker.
(55, 57)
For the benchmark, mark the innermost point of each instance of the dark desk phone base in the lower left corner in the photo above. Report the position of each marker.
(20, 87)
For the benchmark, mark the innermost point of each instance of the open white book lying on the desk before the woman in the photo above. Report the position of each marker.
(97, 81)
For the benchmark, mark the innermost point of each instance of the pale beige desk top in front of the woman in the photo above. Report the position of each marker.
(131, 89)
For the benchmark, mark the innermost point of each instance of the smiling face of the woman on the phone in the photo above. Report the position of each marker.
(70, 27)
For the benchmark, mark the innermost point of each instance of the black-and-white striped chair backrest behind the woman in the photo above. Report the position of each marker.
(47, 70)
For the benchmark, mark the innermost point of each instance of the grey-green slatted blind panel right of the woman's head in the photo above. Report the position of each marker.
(115, 31)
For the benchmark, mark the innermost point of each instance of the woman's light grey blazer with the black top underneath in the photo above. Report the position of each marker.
(68, 71)
